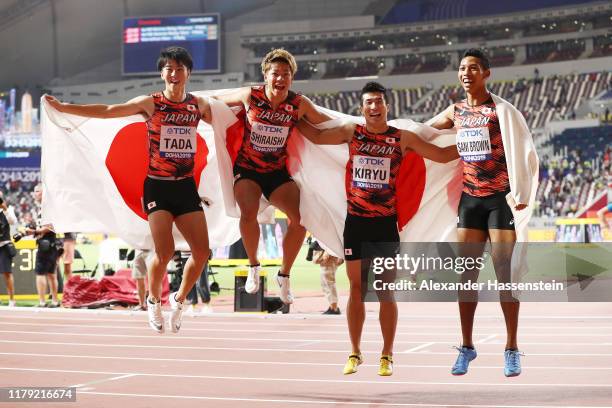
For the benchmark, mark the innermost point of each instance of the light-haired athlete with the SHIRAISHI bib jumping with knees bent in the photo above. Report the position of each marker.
(272, 110)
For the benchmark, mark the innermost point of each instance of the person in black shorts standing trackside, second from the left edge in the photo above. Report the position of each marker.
(46, 256)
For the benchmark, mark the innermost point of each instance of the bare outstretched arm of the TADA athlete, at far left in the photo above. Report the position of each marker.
(140, 104)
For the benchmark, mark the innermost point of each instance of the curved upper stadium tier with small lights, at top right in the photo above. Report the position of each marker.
(560, 34)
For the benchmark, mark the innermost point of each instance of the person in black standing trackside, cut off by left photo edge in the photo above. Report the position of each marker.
(7, 248)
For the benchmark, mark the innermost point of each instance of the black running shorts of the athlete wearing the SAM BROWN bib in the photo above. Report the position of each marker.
(484, 213)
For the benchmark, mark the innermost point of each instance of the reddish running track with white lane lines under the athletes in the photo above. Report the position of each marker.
(233, 360)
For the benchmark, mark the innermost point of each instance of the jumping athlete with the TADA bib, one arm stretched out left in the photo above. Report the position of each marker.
(170, 194)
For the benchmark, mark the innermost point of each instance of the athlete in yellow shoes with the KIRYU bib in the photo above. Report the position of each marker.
(375, 155)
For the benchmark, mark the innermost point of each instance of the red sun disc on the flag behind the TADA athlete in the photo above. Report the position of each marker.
(128, 159)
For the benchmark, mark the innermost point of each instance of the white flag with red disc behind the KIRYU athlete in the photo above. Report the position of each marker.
(428, 192)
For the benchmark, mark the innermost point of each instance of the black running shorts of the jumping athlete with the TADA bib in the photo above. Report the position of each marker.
(175, 196)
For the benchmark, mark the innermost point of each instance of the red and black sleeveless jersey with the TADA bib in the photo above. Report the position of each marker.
(172, 136)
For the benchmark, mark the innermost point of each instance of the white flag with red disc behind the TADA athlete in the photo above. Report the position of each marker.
(93, 172)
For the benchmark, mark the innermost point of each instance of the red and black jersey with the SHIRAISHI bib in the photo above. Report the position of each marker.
(266, 131)
